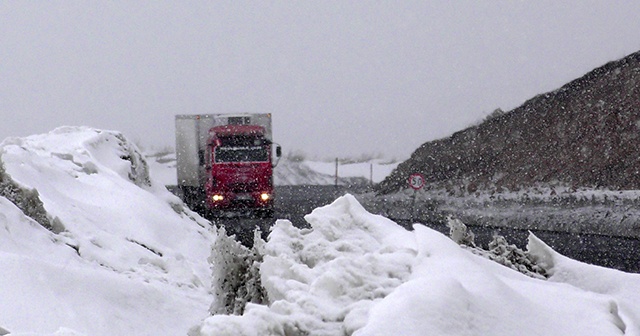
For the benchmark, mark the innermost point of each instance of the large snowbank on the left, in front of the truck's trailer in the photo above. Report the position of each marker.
(124, 256)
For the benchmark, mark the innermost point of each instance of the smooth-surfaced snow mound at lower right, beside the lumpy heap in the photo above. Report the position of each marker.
(454, 292)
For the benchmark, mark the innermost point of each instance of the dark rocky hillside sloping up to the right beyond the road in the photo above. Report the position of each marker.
(585, 134)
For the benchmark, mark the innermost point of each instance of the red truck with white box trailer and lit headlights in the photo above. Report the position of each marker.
(225, 164)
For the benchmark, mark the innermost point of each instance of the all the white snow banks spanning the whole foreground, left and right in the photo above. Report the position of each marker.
(92, 244)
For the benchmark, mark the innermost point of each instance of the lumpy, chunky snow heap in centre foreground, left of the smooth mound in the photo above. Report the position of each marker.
(326, 278)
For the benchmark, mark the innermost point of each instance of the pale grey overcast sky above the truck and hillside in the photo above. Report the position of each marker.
(341, 78)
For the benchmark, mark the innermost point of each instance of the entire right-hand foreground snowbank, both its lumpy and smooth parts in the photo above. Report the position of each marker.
(361, 274)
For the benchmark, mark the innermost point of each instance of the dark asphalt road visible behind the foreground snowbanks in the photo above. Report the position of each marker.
(293, 202)
